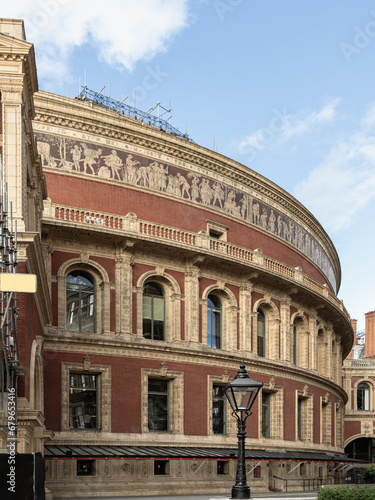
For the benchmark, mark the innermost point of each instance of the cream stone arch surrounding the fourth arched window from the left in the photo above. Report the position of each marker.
(272, 327)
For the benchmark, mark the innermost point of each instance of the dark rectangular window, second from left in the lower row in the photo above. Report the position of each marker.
(158, 405)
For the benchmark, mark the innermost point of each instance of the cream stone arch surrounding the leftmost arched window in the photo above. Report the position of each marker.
(102, 291)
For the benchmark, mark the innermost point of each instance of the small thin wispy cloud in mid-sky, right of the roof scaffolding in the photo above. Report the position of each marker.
(283, 126)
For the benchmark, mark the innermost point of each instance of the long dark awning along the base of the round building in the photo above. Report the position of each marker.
(170, 453)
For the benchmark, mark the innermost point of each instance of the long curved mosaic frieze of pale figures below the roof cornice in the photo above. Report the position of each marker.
(67, 154)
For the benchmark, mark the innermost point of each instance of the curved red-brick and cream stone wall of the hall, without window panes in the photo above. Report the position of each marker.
(130, 205)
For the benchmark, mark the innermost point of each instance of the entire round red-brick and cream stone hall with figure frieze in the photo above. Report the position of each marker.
(161, 266)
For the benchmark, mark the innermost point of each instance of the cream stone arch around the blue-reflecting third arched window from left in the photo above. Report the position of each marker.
(229, 315)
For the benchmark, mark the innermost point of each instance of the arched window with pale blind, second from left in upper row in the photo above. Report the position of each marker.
(153, 311)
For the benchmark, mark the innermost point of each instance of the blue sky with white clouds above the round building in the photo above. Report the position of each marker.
(284, 87)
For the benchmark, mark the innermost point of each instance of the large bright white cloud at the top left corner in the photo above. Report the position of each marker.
(123, 32)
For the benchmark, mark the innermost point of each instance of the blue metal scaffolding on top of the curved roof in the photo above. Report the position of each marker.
(147, 117)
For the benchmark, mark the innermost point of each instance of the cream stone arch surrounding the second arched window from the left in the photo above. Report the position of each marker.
(173, 298)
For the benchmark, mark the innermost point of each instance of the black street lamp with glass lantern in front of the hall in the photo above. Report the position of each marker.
(241, 394)
